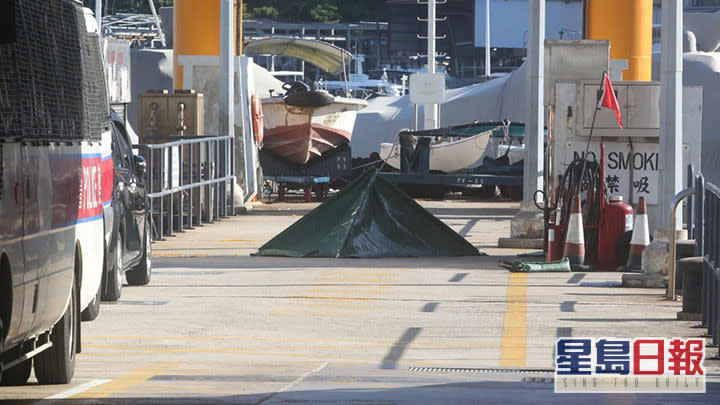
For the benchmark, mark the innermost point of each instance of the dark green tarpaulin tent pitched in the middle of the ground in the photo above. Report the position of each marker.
(368, 218)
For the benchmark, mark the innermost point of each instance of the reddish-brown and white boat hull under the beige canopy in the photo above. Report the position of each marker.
(300, 134)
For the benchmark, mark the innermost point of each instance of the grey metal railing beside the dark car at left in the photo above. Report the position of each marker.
(191, 180)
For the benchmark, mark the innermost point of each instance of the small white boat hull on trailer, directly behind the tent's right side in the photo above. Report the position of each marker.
(447, 154)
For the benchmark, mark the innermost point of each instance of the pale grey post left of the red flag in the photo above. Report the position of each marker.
(534, 123)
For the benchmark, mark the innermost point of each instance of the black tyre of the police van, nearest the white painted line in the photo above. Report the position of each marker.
(56, 365)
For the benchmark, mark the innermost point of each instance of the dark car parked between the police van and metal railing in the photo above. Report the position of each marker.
(127, 220)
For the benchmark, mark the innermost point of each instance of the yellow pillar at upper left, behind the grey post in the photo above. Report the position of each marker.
(196, 32)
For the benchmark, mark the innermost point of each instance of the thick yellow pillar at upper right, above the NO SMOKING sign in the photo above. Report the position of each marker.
(628, 26)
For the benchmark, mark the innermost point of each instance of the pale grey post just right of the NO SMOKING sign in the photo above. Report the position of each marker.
(671, 100)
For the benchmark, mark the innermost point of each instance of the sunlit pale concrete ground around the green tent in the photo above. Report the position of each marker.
(216, 325)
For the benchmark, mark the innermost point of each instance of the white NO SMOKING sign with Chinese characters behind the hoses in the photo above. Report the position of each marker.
(626, 170)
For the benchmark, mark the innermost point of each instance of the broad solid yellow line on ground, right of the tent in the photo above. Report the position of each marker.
(513, 349)
